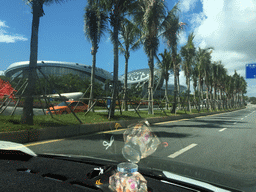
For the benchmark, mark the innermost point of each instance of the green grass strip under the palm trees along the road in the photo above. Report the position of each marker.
(9, 124)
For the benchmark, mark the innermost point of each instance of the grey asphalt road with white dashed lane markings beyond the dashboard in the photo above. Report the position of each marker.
(221, 142)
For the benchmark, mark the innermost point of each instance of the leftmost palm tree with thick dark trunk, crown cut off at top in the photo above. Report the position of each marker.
(37, 11)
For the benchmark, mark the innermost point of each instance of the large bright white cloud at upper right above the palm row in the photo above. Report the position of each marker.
(229, 27)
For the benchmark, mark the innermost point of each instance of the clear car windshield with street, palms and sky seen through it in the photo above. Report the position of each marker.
(190, 75)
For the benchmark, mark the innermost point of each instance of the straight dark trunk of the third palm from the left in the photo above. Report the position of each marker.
(115, 78)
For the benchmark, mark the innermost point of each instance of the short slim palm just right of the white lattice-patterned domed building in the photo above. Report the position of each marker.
(165, 66)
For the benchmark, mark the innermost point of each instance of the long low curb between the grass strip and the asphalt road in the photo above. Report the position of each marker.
(34, 135)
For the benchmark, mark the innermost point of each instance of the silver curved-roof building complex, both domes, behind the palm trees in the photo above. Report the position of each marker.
(139, 77)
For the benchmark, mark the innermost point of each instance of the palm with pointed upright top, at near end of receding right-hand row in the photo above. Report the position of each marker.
(188, 52)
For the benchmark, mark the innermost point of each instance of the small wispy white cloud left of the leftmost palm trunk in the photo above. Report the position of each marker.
(6, 37)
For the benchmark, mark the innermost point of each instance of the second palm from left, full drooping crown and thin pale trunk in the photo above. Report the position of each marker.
(95, 21)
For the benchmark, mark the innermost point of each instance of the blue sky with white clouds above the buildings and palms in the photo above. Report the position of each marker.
(228, 26)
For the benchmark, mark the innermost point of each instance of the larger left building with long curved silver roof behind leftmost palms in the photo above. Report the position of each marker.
(58, 68)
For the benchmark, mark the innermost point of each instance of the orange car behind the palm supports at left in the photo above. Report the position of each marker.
(62, 108)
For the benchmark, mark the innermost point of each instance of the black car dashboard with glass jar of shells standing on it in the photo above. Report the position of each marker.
(22, 172)
